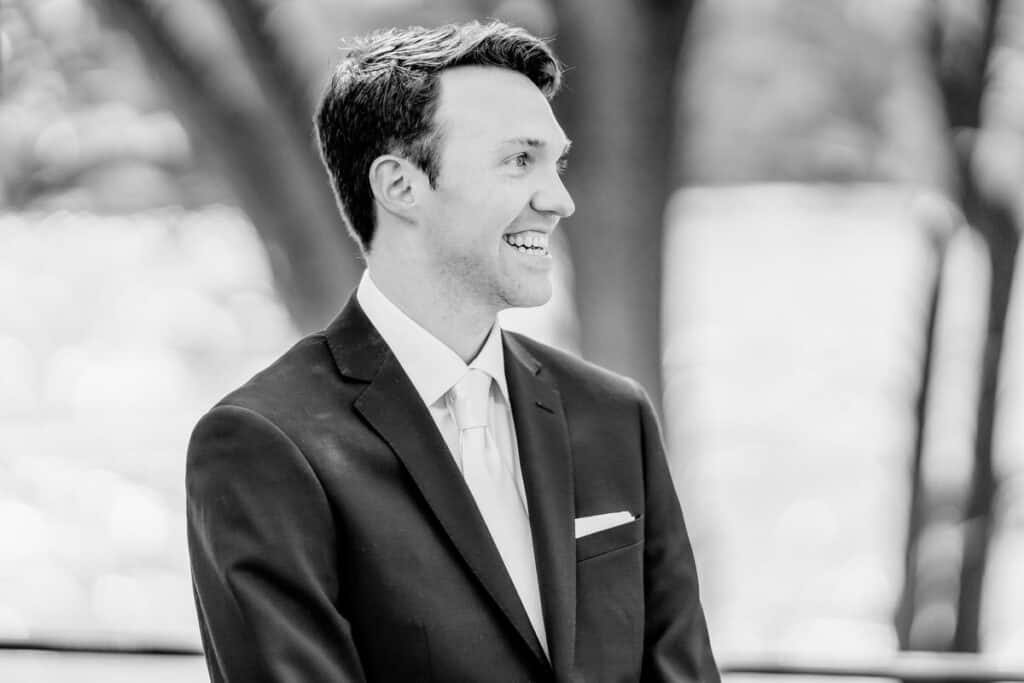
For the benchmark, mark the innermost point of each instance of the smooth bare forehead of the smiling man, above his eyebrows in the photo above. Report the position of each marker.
(487, 105)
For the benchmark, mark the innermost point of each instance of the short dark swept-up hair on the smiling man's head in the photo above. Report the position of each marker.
(383, 96)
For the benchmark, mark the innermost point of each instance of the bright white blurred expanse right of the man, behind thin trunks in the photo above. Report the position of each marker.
(793, 347)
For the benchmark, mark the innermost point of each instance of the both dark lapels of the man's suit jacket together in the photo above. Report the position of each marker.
(392, 406)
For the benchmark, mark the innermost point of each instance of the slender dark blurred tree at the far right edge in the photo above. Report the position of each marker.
(962, 59)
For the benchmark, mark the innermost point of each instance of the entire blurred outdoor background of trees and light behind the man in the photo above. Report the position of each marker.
(798, 225)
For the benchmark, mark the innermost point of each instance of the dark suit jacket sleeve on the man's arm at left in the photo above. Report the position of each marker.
(265, 558)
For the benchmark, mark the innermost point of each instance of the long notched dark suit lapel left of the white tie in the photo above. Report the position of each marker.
(395, 410)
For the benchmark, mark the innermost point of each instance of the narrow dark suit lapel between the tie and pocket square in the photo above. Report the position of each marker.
(542, 436)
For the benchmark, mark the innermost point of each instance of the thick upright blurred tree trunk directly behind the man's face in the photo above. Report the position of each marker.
(618, 106)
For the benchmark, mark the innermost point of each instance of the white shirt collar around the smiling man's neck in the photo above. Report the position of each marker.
(432, 366)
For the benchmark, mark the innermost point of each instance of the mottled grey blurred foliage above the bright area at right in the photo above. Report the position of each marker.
(835, 91)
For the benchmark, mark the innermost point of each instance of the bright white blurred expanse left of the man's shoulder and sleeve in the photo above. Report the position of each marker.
(109, 356)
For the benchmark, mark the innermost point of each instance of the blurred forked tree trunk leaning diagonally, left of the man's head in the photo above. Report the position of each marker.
(250, 121)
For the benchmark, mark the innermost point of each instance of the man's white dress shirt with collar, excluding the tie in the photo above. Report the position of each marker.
(434, 369)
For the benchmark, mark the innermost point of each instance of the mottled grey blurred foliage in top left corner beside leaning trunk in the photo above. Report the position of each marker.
(81, 124)
